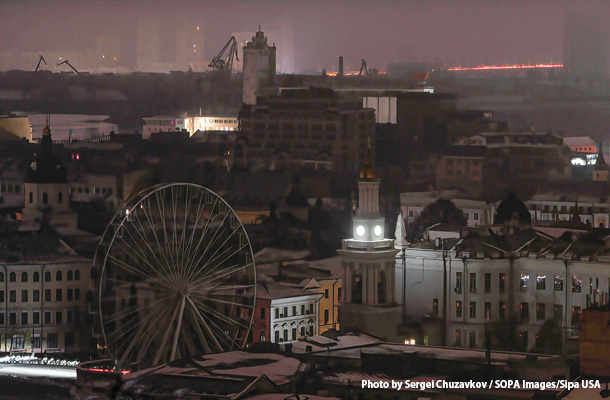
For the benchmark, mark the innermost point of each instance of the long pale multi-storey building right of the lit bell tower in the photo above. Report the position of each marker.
(469, 292)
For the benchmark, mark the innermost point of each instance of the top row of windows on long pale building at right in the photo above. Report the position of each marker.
(523, 282)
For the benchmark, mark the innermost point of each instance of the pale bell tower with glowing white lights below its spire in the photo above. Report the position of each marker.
(368, 259)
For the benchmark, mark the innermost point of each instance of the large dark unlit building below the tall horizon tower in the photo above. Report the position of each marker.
(308, 126)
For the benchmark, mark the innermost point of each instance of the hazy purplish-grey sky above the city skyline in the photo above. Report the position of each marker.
(467, 32)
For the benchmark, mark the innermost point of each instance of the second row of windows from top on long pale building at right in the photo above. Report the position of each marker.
(523, 311)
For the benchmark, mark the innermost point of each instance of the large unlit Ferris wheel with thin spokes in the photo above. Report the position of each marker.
(177, 277)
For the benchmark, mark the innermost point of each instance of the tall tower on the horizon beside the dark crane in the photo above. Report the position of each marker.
(259, 66)
